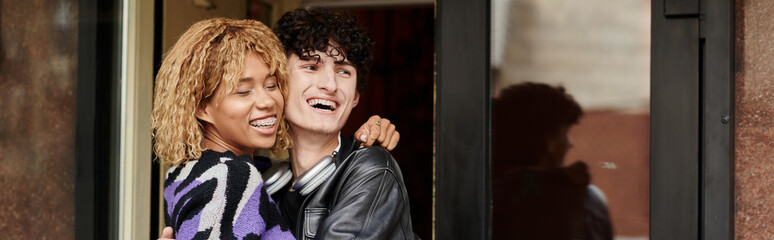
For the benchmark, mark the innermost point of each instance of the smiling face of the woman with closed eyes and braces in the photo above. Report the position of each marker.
(245, 119)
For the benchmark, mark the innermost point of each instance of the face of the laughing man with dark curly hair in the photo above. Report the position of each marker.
(322, 93)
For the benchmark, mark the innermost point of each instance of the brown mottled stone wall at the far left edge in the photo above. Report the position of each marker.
(38, 82)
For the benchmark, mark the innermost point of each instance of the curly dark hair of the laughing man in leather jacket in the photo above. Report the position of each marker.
(304, 31)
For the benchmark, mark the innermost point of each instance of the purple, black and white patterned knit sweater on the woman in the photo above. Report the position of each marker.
(220, 196)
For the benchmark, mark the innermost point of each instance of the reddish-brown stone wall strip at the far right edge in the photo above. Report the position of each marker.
(754, 119)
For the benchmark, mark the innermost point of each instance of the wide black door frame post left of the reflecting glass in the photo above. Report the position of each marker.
(462, 172)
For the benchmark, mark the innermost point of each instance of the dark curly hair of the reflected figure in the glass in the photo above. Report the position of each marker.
(525, 115)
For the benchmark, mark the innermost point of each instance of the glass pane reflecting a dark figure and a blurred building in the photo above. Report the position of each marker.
(554, 176)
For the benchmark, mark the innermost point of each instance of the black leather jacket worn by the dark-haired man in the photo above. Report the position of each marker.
(365, 198)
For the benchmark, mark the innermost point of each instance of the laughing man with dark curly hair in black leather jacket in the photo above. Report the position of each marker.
(364, 197)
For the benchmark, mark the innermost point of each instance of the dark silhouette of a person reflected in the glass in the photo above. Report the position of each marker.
(536, 197)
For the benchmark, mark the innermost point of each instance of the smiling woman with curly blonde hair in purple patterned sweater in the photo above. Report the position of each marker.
(219, 99)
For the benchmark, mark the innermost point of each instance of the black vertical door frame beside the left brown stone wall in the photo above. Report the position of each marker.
(96, 129)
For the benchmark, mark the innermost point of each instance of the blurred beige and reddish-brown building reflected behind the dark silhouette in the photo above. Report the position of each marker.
(599, 51)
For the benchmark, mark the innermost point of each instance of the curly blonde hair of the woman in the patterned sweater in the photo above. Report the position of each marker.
(210, 54)
